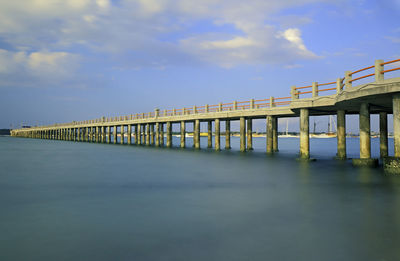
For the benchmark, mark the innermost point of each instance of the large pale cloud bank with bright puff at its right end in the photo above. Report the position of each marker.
(134, 28)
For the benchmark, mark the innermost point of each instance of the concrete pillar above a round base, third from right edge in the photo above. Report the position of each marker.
(365, 137)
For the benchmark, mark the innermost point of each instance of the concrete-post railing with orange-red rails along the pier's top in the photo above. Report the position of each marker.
(313, 89)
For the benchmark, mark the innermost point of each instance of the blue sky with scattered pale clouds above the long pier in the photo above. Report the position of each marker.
(72, 60)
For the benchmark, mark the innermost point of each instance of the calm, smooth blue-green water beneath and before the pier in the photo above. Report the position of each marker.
(80, 201)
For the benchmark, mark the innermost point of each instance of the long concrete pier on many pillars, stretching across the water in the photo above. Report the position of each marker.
(341, 97)
